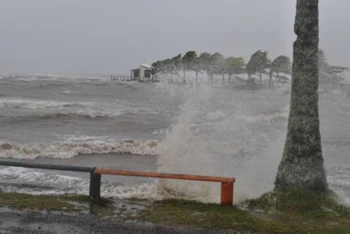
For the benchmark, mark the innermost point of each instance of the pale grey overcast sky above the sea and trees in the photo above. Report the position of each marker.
(113, 36)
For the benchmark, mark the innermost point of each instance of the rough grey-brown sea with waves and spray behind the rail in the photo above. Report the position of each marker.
(195, 128)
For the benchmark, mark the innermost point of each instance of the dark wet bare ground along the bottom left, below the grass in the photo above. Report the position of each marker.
(12, 221)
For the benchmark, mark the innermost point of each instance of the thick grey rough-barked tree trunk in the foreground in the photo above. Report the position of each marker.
(302, 165)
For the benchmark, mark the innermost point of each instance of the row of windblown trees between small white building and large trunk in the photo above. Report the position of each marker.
(217, 64)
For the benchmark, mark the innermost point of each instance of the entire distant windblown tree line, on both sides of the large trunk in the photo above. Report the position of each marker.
(217, 64)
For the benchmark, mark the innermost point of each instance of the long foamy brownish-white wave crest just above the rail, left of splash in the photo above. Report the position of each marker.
(70, 149)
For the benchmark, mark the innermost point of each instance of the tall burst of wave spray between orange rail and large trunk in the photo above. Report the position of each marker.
(224, 133)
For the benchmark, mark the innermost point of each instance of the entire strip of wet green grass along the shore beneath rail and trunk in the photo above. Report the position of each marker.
(294, 212)
